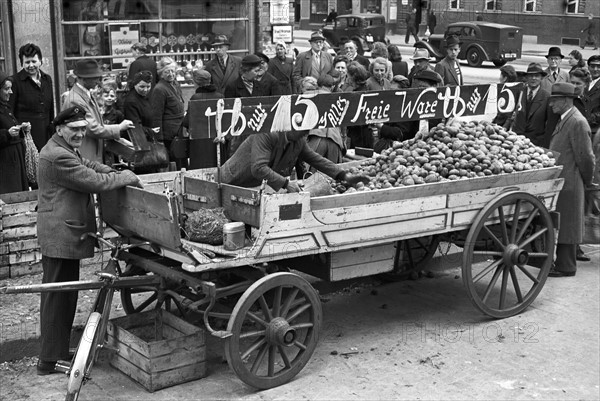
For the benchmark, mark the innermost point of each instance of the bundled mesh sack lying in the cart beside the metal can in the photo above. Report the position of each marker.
(206, 226)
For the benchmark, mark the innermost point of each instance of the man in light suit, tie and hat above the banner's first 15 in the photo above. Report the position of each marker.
(313, 62)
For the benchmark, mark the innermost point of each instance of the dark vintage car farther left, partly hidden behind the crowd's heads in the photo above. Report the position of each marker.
(362, 29)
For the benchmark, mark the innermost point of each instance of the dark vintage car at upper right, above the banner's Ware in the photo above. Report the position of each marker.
(482, 41)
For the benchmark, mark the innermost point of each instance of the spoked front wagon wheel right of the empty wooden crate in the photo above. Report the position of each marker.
(275, 328)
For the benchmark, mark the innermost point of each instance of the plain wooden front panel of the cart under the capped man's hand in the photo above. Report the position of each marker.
(133, 212)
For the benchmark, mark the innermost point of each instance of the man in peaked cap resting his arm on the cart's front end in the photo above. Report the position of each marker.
(65, 212)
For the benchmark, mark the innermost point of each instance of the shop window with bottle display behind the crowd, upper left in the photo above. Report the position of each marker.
(182, 29)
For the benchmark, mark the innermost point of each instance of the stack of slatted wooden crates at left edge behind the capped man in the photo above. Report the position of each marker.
(19, 250)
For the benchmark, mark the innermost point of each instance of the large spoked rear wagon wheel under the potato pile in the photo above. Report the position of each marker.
(518, 234)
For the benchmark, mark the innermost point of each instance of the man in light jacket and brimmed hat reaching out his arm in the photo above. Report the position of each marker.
(89, 76)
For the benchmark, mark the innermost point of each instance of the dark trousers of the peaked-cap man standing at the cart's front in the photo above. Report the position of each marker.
(57, 309)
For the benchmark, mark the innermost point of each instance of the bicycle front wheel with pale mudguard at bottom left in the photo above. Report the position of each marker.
(84, 356)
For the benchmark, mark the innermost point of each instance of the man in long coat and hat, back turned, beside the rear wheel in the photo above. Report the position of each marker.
(571, 139)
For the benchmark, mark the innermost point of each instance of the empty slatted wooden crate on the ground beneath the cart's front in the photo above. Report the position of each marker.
(157, 349)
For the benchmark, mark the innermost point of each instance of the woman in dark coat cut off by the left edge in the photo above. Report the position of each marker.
(13, 176)
